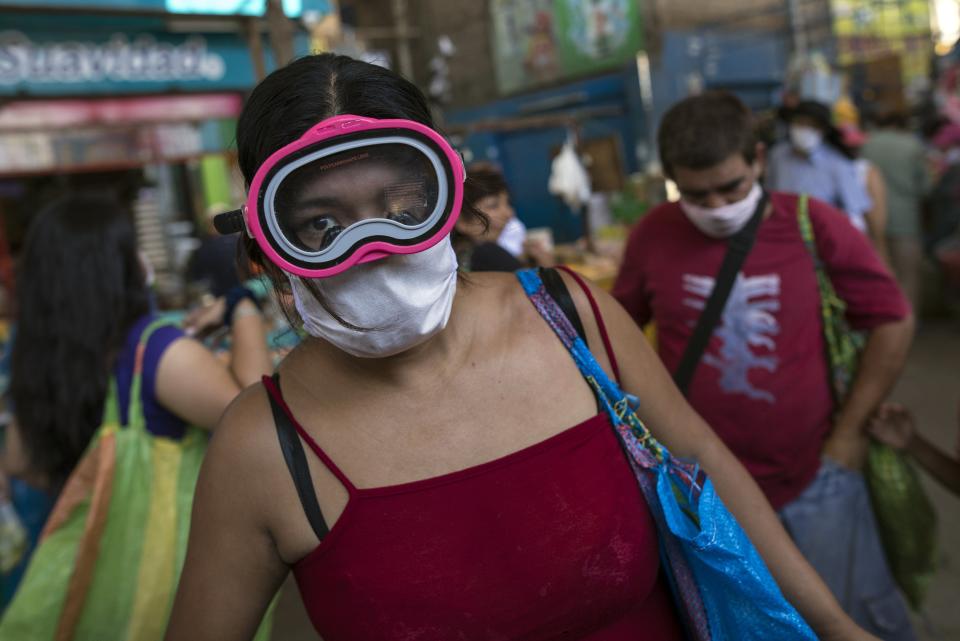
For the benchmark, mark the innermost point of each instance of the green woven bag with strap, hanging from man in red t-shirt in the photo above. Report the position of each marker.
(906, 520)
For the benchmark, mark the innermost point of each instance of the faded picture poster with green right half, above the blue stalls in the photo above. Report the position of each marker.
(536, 42)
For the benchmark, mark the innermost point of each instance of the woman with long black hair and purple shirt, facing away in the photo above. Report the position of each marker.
(83, 304)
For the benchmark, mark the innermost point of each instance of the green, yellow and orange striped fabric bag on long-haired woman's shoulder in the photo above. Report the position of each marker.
(110, 556)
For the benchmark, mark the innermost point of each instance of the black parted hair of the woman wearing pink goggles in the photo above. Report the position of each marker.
(308, 90)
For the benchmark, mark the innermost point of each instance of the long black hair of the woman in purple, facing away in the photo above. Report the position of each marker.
(80, 288)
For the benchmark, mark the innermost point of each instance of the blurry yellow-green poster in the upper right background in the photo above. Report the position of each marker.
(868, 29)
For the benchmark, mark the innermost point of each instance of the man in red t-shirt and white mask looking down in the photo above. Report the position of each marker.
(762, 382)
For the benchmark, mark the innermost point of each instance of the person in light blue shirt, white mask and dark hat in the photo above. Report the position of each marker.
(815, 161)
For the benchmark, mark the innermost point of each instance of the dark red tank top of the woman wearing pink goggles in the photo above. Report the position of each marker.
(553, 541)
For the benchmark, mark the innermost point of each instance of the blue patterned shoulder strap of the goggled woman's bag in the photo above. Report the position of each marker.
(640, 443)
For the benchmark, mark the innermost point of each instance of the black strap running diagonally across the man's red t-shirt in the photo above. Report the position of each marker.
(738, 249)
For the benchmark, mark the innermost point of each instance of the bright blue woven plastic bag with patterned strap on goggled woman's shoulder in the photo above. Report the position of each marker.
(722, 587)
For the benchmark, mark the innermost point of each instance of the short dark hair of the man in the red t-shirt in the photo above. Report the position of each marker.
(703, 131)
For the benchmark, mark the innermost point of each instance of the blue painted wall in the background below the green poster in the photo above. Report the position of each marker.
(752, 65)
